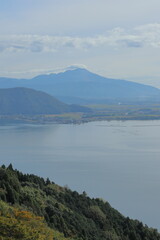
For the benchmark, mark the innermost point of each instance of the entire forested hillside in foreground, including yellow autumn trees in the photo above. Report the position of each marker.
(30, 203)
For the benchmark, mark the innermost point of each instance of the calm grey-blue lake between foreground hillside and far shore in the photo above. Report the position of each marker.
(117, 161)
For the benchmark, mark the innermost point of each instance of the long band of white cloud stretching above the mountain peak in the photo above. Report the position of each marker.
(145, 35)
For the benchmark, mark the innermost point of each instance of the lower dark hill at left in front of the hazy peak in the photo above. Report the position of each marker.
(14, 101)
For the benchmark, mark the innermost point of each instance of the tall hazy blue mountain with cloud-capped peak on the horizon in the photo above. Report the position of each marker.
(81, 86)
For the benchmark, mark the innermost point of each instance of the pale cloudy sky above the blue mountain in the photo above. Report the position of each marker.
(114, 38)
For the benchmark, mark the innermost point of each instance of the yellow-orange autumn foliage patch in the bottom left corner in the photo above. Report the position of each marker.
(19, 224)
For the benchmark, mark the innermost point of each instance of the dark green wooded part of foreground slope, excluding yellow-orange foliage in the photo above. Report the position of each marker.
(75, 215)
